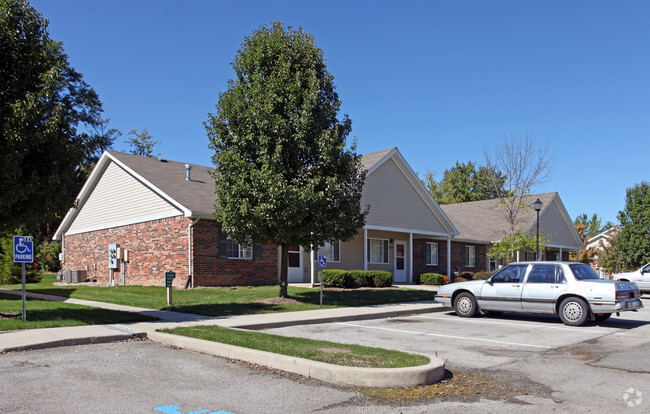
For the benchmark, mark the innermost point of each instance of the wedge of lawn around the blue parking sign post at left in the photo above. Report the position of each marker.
(46, 314)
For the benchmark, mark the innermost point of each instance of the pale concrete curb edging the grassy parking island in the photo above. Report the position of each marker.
(335, 374)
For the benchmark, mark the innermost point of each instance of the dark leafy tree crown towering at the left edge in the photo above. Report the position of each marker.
(47, 113)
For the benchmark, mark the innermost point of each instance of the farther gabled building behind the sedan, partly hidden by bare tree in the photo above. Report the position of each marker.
(482, 223)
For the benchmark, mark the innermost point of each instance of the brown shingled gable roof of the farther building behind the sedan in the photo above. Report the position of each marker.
(482, 221)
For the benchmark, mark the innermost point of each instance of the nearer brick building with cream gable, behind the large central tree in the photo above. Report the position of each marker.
(154, 215)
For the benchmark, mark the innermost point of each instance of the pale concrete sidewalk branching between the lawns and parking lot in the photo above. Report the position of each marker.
(78, 335)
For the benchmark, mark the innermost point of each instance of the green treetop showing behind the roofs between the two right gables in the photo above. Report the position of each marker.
(463, 182)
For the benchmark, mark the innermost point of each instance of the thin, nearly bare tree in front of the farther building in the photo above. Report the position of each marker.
(525, 165)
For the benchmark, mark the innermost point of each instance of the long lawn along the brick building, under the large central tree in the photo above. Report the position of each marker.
(226, 301)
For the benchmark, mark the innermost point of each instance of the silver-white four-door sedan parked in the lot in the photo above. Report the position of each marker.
(570, 289)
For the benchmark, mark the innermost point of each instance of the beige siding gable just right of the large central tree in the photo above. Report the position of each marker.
(395, 203)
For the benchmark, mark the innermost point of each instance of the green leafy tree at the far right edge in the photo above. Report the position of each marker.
(633, 240)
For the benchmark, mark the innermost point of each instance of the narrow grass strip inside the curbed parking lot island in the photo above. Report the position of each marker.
(323, 351)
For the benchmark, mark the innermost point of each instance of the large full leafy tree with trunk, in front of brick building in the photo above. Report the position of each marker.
(283, 173)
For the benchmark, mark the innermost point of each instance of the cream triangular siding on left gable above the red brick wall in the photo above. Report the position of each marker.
(119, 199)
